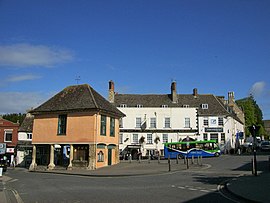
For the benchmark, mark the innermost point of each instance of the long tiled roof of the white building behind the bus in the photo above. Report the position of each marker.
(215, 107)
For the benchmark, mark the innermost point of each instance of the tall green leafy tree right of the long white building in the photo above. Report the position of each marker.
(253, 114)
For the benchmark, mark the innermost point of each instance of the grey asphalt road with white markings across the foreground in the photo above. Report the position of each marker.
(182, 186)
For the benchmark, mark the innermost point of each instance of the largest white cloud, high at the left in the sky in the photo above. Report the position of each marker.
(27, 55)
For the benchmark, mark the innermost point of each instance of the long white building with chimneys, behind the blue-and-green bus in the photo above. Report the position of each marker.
(152, 119)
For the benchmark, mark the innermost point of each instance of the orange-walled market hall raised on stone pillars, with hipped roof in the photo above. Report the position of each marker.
(76, 128)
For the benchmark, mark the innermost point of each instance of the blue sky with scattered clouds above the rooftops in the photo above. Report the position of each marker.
(142, 45)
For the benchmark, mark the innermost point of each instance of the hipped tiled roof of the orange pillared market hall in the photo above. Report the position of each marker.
(75, 99)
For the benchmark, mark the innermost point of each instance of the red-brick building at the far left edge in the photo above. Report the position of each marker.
(9, 136)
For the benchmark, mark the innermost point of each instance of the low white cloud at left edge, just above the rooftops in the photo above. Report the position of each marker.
(20, 102)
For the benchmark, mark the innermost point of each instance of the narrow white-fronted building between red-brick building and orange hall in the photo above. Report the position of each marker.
(24, 147)
